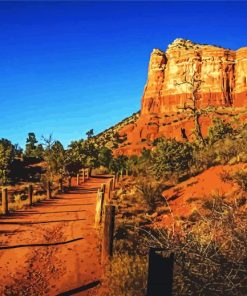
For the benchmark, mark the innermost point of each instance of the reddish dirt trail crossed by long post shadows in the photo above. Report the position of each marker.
(52, 248)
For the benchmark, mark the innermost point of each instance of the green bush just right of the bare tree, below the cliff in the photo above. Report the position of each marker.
(219, 130)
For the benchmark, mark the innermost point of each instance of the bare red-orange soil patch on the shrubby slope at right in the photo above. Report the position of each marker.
(188, 196)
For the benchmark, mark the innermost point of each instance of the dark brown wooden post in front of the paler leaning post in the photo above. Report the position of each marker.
(108, 232)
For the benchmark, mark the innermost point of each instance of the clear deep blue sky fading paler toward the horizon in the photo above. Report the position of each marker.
(68, 67)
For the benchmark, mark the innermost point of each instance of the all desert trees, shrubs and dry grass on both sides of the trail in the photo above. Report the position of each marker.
(209, 240)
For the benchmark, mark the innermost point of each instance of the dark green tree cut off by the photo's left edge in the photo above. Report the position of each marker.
(7, 153)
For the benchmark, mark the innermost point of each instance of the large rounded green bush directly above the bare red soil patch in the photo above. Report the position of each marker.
(171, 156)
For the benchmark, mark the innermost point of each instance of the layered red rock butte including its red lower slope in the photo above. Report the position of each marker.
(223, 73)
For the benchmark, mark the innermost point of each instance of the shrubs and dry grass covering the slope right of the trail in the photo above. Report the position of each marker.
(209, 241)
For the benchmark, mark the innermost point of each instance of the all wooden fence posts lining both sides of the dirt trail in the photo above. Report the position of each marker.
(160, 266)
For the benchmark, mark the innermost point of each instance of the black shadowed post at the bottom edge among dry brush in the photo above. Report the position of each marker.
(160, 273)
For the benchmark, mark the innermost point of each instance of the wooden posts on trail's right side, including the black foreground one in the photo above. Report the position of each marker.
(160, 265)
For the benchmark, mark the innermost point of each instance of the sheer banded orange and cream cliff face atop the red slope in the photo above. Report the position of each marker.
(222, 71)
